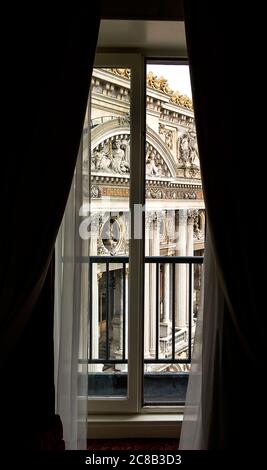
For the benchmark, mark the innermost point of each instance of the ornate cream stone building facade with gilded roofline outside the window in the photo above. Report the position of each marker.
(174, 216)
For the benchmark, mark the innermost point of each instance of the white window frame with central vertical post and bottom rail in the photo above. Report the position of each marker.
(132, 404)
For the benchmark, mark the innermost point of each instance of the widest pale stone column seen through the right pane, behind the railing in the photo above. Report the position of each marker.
(180, 269)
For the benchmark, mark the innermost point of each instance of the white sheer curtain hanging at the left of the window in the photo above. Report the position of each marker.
(71, 307)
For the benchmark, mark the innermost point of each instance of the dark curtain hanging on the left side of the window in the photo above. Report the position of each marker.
(46, 65)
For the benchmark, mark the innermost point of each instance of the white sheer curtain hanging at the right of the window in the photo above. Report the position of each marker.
(198, 409)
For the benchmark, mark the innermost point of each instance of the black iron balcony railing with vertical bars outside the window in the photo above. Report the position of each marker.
(175, 332)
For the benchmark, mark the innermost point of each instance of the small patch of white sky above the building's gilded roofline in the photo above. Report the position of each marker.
(177, 76)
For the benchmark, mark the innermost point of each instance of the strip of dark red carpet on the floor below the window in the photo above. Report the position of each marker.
(133, 444)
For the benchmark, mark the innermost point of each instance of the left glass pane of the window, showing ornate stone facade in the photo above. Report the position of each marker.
(109, 214)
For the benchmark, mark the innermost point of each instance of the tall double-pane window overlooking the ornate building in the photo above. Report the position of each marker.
(147, 236)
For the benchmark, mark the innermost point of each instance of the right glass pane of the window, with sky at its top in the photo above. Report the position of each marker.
(174, 227)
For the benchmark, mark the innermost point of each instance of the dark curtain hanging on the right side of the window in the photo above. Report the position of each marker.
(225, 48)
